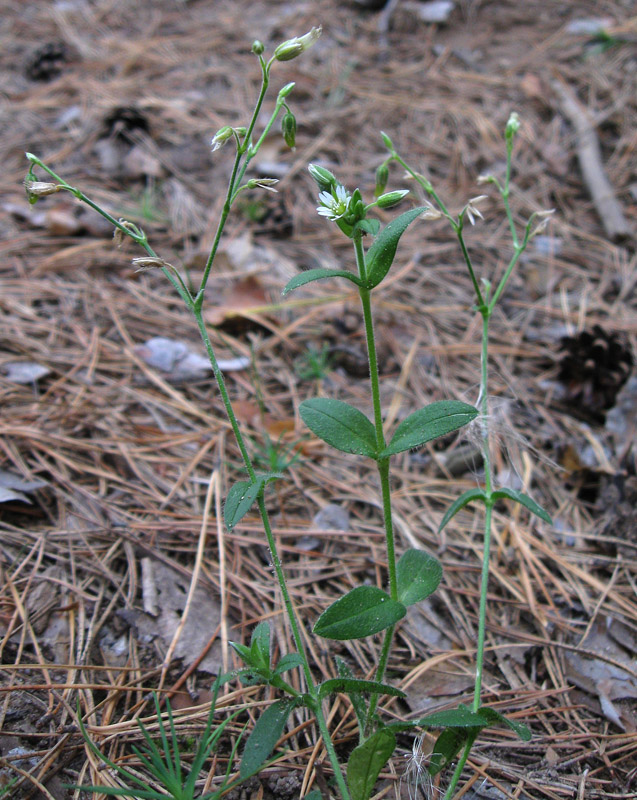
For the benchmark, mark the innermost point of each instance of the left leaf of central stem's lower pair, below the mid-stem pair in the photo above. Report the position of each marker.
(362, 612)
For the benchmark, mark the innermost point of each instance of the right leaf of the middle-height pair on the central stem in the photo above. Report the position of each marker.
(428, 423)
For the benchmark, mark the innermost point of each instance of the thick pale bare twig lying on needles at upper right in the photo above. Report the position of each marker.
(590, 161)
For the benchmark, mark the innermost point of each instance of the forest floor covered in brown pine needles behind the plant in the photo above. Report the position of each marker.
(107, 455)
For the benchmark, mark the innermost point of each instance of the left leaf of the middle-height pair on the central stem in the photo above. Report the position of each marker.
(341, 425)
